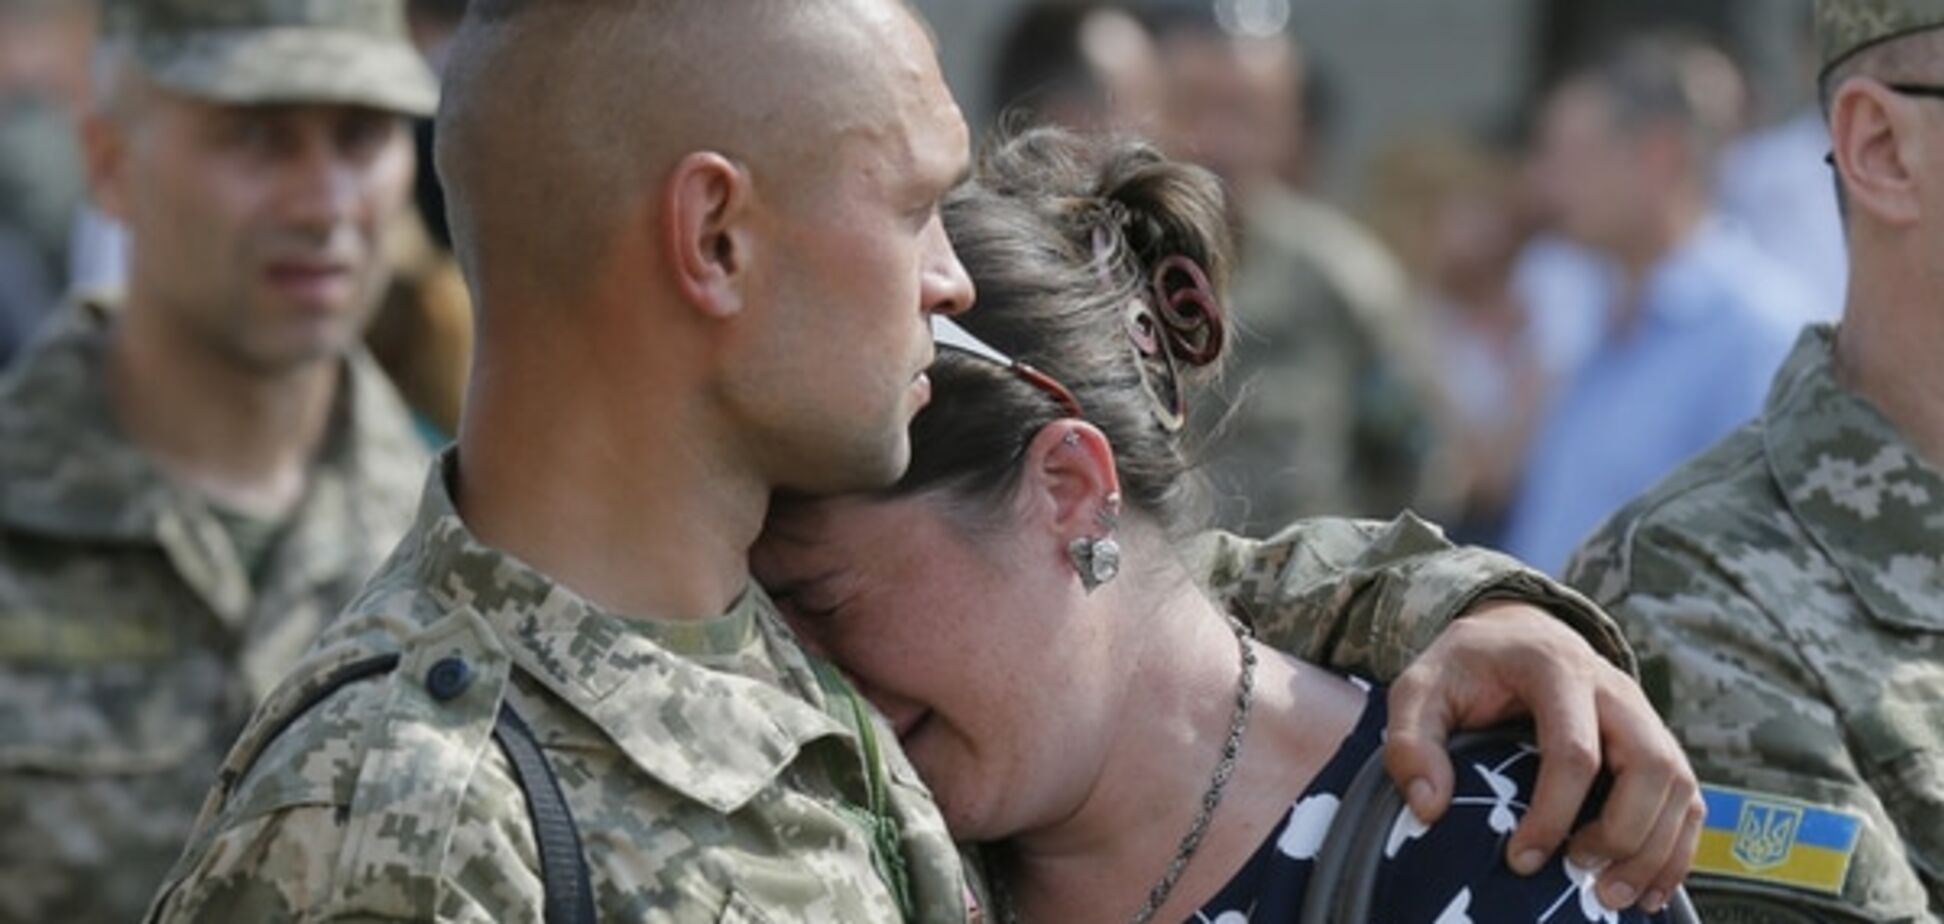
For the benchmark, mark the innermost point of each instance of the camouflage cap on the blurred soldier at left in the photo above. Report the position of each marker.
(279, 52)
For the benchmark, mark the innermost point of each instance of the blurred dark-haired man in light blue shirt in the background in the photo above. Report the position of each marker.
(1700, 318)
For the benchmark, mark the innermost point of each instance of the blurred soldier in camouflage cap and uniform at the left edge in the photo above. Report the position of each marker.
(195, 478)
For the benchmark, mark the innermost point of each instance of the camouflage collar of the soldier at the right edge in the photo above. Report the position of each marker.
(1867, 499)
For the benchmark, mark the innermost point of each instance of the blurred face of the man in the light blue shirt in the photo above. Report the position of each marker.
(1591, 176)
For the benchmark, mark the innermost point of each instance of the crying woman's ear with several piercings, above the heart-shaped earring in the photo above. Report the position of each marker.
(1070, 485)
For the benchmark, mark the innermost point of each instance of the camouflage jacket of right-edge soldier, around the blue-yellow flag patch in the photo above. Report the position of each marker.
(1788, 598)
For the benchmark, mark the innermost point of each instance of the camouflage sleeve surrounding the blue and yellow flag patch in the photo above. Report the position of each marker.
(1747, 707)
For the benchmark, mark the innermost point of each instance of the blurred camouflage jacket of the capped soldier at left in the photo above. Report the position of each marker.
(133, 647)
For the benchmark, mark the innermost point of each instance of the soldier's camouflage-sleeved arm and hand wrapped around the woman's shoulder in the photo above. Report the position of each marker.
(1375, 596)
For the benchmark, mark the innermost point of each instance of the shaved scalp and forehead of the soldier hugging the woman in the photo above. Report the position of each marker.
(561, 118)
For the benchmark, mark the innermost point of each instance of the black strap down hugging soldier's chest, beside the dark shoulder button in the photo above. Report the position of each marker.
(571, 898)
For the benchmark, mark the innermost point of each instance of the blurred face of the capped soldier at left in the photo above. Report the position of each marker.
(258, 231)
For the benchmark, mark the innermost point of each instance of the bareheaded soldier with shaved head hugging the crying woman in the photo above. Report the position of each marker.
(697, 285)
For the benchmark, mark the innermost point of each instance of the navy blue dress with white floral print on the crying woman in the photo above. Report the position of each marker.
(1447, 874)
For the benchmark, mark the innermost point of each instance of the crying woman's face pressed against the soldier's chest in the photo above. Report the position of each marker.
(971, 643)
